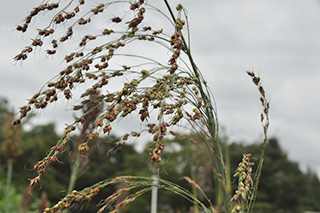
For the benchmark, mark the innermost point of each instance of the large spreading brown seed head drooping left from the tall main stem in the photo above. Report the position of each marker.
(166, 95)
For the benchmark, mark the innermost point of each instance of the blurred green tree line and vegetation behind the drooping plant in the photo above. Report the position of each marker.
(283, 186)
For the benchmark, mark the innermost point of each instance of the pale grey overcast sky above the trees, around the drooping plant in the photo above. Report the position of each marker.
(279, 40)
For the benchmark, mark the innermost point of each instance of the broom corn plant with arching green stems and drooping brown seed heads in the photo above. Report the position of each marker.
(161, 94)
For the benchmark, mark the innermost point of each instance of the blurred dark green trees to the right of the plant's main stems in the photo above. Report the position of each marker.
(283, 186)
